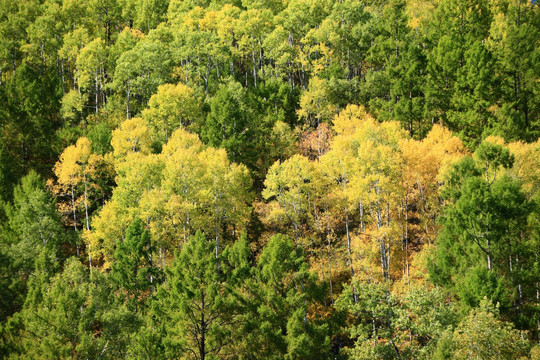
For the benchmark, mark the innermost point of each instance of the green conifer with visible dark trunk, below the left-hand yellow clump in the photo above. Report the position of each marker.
(195, 303)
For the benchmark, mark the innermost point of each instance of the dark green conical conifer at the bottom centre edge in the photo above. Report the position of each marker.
(282, 294)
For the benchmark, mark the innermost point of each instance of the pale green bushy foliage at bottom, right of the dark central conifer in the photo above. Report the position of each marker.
(389, 326)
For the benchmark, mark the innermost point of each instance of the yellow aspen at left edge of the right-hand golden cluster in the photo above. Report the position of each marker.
(300, 198)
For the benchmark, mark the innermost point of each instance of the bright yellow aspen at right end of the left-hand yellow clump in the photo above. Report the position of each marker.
(206, 190)
